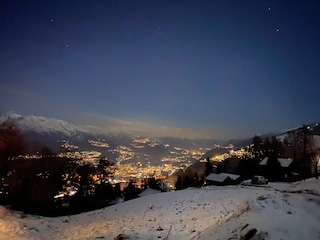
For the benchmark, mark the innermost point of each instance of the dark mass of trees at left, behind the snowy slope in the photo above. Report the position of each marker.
(32, 185)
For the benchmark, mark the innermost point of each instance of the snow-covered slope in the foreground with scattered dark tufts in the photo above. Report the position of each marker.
(276, 211)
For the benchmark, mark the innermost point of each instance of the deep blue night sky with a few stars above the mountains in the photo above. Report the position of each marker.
(223, 69)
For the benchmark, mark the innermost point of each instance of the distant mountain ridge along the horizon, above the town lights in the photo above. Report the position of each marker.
(49, 130)
